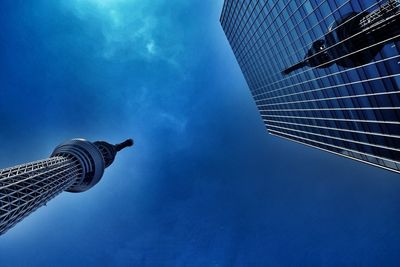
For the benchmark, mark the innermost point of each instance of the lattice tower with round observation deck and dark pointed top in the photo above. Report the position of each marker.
(74, 166)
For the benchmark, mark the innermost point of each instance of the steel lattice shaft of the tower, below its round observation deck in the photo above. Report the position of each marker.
(26, 187)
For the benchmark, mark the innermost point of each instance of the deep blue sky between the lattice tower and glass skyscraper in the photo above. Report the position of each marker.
(204, 185)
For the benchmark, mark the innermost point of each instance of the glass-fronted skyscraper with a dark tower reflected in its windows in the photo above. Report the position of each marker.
(324, 73)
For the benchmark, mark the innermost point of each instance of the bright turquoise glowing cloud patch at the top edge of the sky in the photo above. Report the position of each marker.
(132, 30)
